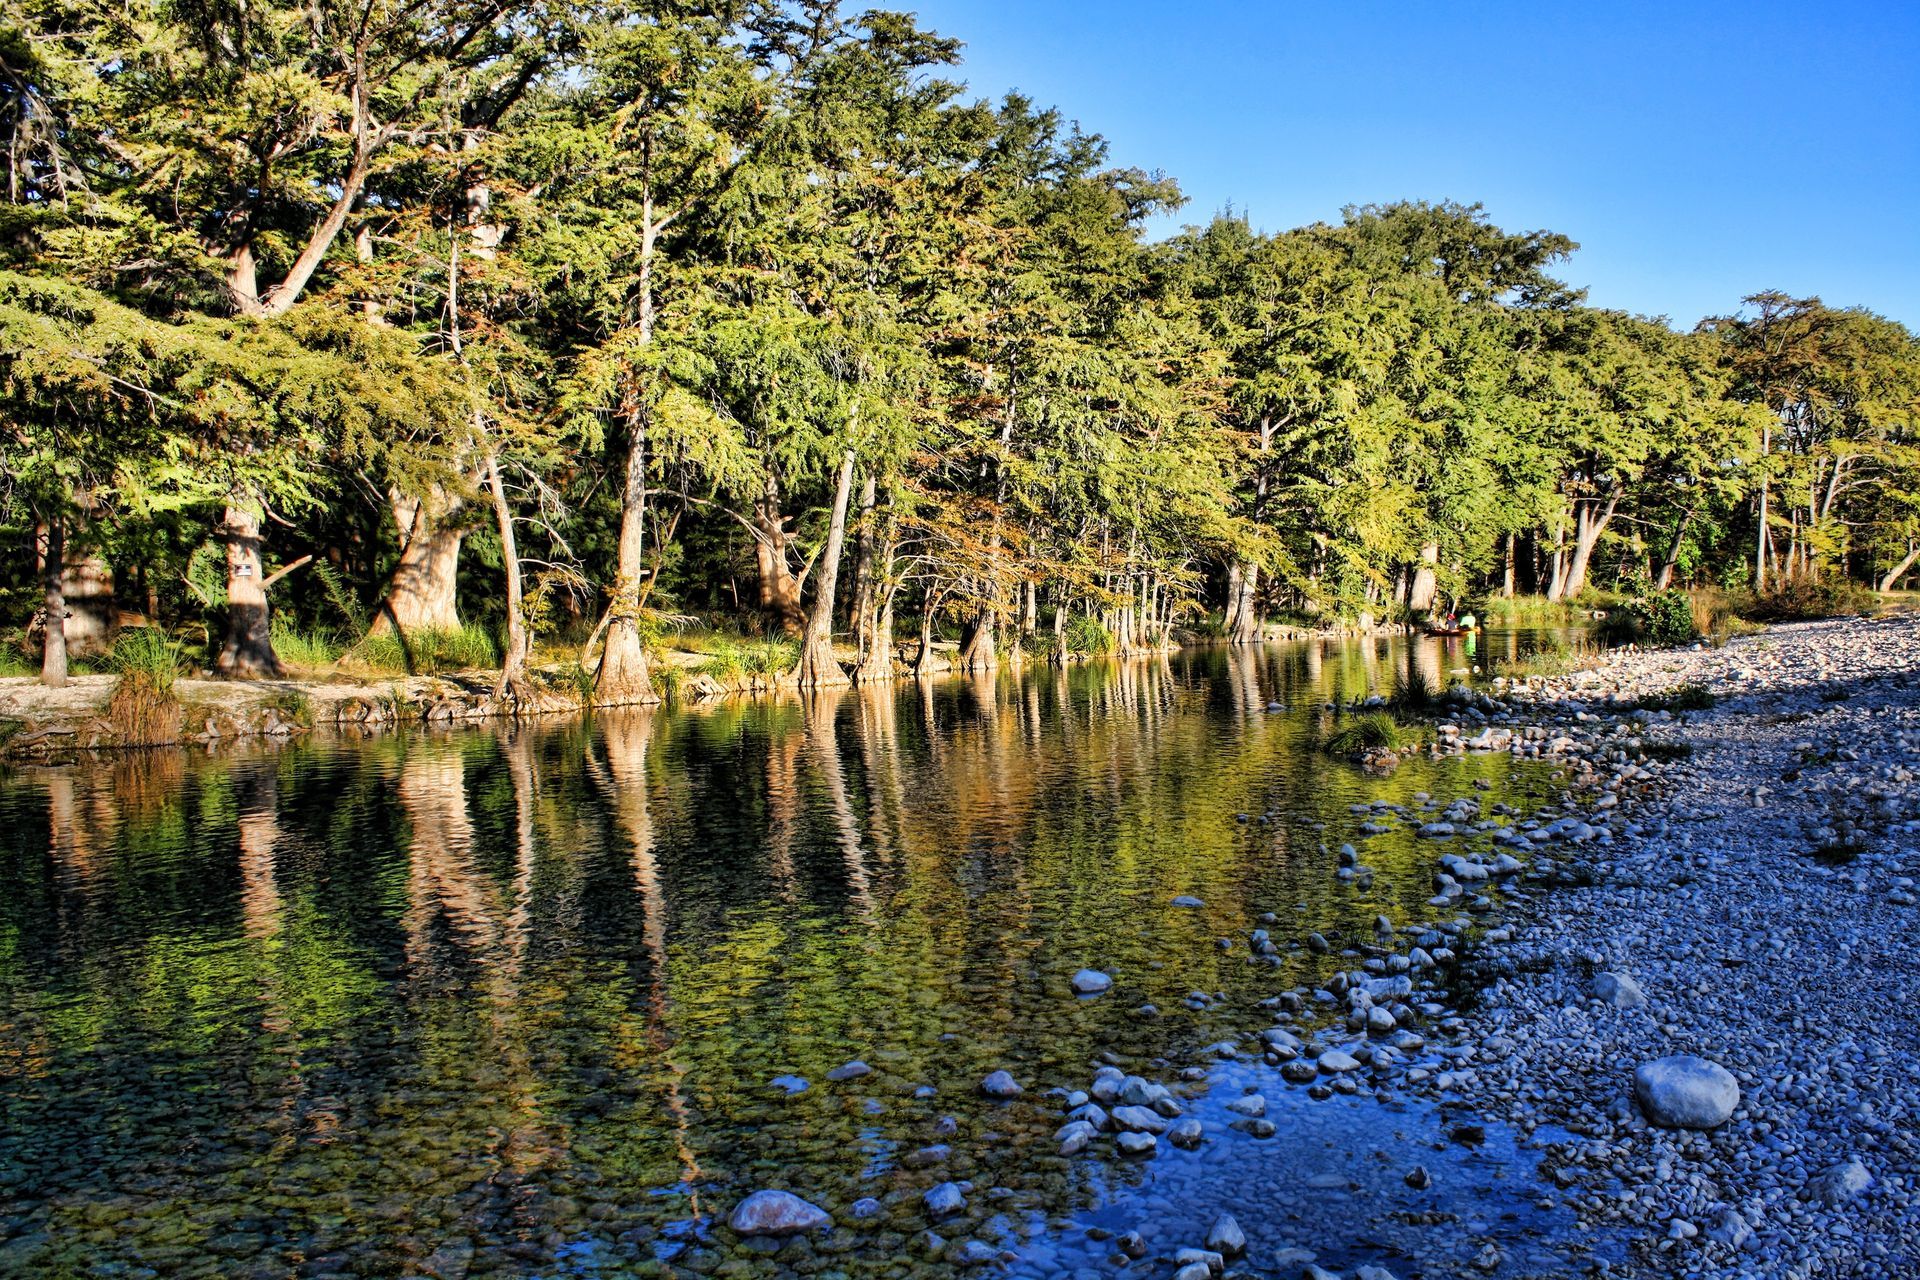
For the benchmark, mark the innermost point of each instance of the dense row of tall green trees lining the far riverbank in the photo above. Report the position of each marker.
(569, 333)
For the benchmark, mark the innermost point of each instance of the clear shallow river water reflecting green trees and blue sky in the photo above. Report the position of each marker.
(552, 1001)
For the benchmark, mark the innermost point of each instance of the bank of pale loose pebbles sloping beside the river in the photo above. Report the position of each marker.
(1760, 893)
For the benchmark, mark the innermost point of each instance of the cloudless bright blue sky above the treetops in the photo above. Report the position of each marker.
(1698, 153)
